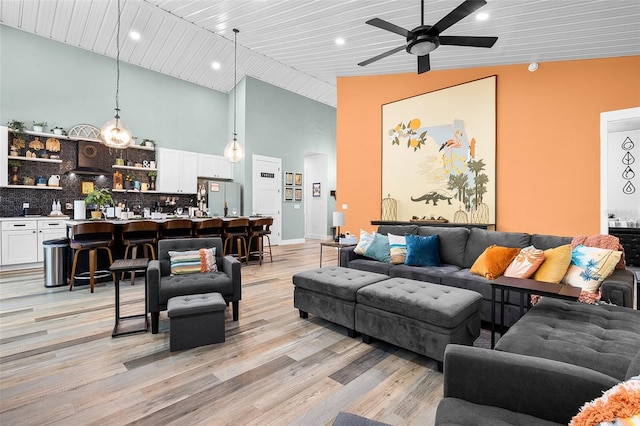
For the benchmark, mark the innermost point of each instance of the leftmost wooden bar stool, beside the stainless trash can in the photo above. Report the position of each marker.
(93, 237)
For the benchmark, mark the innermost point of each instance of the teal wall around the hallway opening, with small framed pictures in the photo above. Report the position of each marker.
(279, 123)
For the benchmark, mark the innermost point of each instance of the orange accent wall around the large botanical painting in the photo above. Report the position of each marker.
(548, 139)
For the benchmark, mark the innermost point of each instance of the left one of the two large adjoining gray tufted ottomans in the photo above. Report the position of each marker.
(330, 293)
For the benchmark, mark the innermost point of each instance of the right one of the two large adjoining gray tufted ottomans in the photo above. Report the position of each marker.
(419, 316)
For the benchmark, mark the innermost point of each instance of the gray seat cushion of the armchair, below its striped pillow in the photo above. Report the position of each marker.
(179, 285)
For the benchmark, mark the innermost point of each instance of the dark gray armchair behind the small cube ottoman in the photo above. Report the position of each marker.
(162, 286)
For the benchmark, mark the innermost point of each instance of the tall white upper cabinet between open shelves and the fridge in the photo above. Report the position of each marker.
(177, 171)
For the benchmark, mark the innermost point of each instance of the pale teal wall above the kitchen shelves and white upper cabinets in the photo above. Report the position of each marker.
(44, 80)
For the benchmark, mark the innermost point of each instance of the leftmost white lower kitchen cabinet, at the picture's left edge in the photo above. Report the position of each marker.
(19, 242)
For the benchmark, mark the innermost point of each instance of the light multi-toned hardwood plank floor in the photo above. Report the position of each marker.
(60, 365)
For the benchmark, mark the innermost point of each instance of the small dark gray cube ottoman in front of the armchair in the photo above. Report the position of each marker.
(195, 320)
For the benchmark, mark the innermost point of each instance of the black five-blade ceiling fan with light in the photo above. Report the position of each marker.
(425, 39)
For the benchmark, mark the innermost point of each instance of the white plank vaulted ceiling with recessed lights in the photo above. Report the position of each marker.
(291, 43)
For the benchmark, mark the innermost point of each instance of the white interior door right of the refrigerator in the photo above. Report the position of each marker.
(266, 199)
